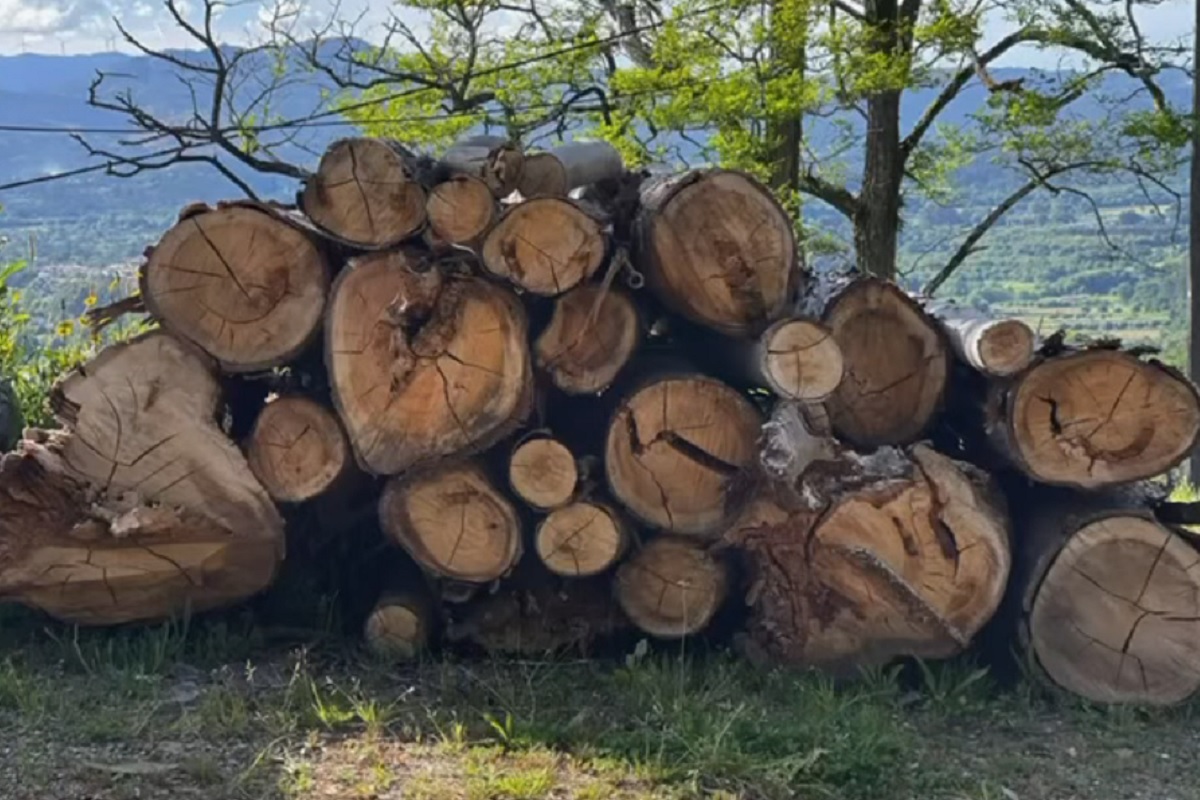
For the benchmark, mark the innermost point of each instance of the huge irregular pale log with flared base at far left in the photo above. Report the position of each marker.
(143, 509)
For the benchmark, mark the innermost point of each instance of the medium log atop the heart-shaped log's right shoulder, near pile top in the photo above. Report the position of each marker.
(547, 246)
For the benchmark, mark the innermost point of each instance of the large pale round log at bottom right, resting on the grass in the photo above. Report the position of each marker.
(1109, 599)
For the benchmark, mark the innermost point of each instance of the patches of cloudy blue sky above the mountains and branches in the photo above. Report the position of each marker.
(75, 27)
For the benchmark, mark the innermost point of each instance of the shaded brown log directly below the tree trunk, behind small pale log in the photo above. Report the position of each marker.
(897, 365)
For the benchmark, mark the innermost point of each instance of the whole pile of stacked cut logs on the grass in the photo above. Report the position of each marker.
(586, 401)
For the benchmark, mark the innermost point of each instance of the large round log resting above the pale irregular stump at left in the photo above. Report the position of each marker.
(241, 282)
